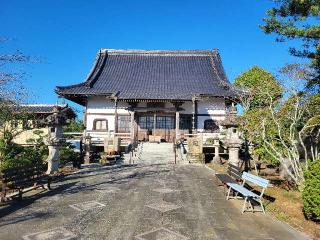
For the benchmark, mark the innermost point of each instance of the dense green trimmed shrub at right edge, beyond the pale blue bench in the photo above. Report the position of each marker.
(311, 191)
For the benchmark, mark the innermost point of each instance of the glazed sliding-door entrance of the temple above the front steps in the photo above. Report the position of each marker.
(156, 127)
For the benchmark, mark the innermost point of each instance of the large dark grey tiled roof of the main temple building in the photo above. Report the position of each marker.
(153, 74)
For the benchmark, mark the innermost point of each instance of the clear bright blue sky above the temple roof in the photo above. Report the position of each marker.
(66, 35)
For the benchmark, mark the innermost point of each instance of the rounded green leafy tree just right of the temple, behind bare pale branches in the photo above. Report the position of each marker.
(256, 84)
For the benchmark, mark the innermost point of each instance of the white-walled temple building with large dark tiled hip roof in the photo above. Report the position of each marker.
(153, 95)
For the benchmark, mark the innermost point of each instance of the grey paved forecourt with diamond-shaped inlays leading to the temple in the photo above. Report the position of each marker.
(146, 201)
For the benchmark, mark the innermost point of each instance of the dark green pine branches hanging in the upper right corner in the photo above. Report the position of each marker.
(298, 19)
